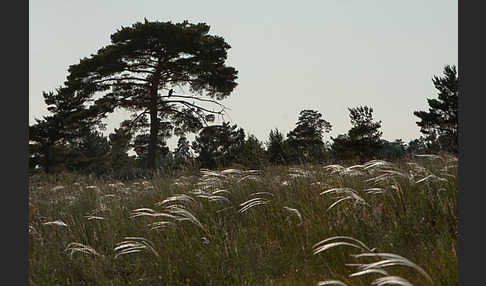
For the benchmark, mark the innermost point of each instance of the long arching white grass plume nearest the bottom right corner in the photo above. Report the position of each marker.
(390, 259)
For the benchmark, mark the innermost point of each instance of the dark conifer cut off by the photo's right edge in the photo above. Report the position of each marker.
(439, 125)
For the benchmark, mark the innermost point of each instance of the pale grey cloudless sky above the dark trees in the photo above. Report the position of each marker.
(290, 55)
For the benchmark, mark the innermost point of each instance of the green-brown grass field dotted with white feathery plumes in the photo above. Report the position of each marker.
(379, 223)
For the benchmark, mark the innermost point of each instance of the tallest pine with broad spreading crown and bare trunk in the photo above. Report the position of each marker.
(143, 65)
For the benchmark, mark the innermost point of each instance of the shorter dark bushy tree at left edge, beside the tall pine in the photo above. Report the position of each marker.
(54, 139)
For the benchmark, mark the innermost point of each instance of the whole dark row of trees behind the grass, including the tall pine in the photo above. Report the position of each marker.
(153, 57)
